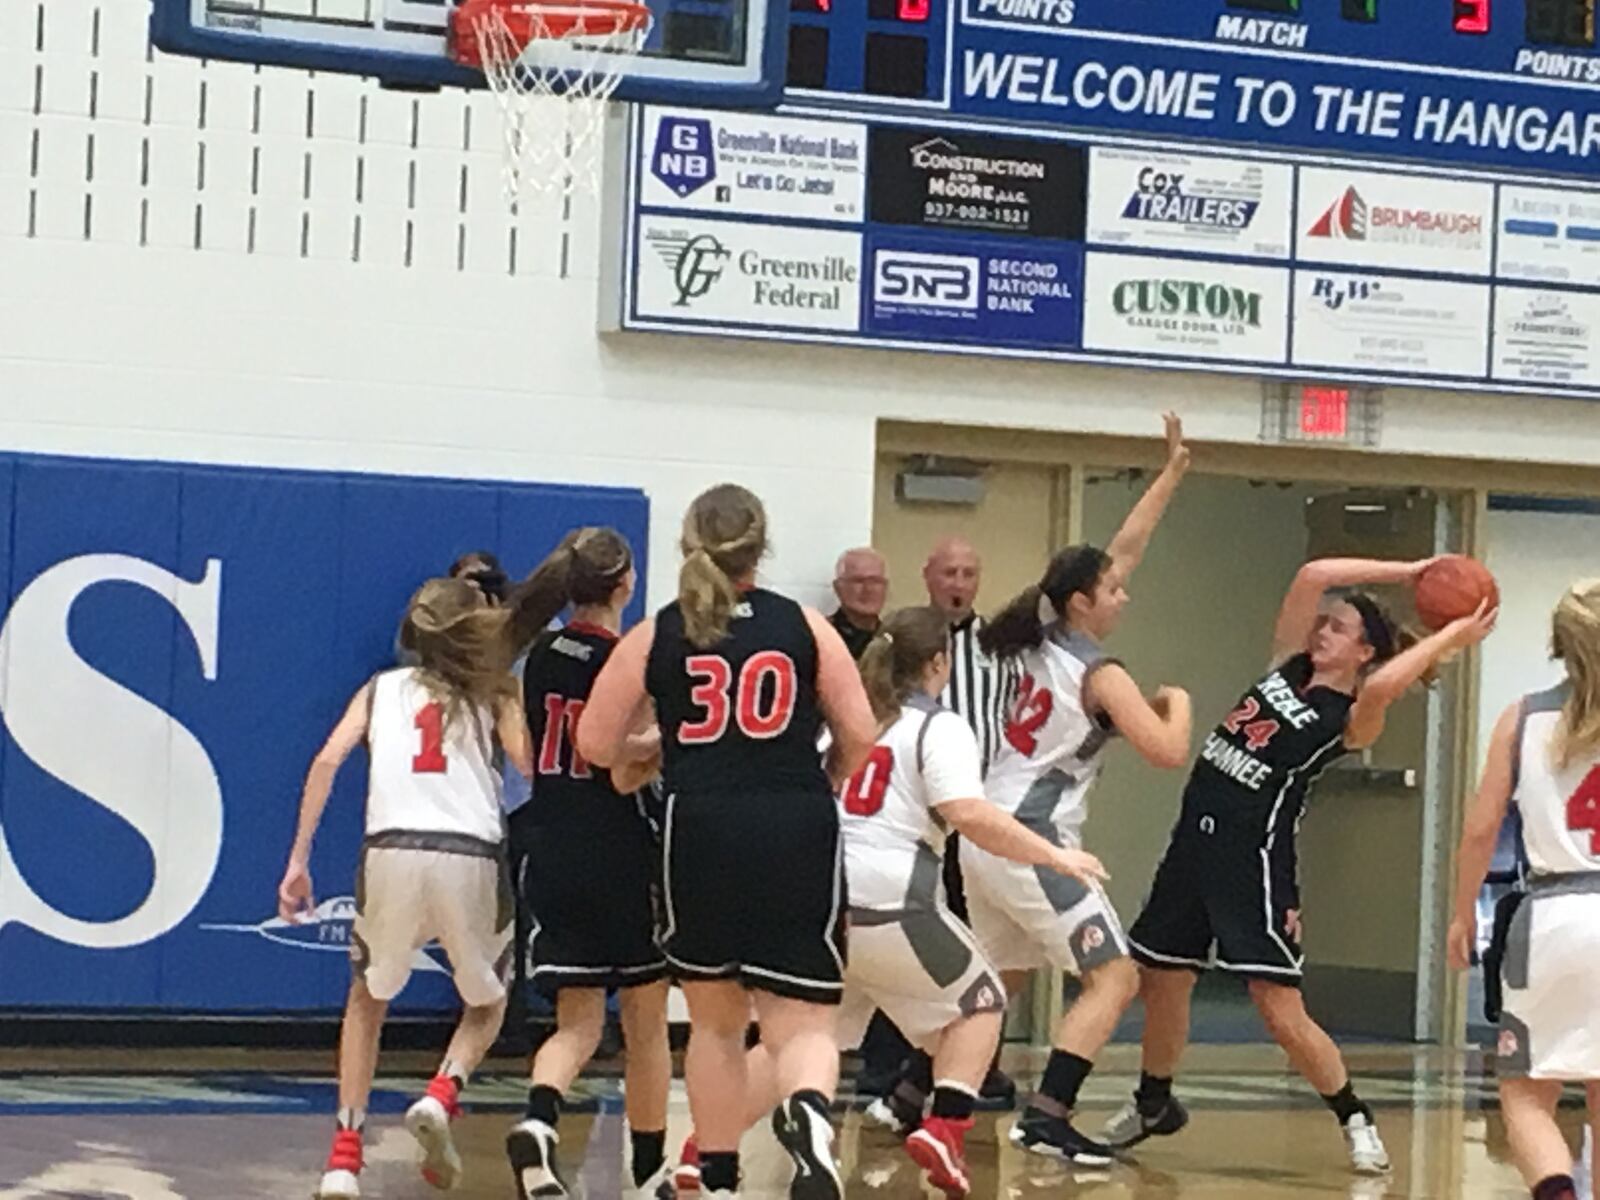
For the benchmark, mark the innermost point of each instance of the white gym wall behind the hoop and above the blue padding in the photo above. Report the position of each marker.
(204, 262)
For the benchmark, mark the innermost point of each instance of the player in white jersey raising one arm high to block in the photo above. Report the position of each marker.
(1071, 702)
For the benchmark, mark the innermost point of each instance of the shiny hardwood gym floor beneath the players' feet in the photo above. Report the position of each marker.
(254, 1126)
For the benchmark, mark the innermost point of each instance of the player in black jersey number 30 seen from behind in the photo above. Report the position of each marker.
(743, 681)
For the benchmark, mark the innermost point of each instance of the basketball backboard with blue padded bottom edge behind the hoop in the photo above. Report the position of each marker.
(719, 54)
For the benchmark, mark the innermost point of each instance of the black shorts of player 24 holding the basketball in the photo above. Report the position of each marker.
(1223, 898)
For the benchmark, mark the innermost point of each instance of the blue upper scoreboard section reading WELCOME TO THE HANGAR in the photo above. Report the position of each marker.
(1481, 84)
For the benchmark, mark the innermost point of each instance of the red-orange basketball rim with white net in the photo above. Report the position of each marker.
(553, 65)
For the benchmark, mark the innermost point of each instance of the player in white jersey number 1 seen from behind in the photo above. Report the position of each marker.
(433, 860)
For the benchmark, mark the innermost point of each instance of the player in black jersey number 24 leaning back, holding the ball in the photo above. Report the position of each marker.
(1230, 876)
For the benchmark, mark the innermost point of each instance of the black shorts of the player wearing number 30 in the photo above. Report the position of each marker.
(754, 890)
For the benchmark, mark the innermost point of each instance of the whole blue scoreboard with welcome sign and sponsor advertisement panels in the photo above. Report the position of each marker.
(1350, 191)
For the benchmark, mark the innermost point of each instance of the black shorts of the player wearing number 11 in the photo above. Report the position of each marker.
(588, 900)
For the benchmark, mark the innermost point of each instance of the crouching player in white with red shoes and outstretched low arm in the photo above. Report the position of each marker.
(910, 954)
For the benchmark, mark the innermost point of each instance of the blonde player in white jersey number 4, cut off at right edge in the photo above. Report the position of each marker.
(1545, 758)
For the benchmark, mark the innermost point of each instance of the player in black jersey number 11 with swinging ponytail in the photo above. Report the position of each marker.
(591, 927)
